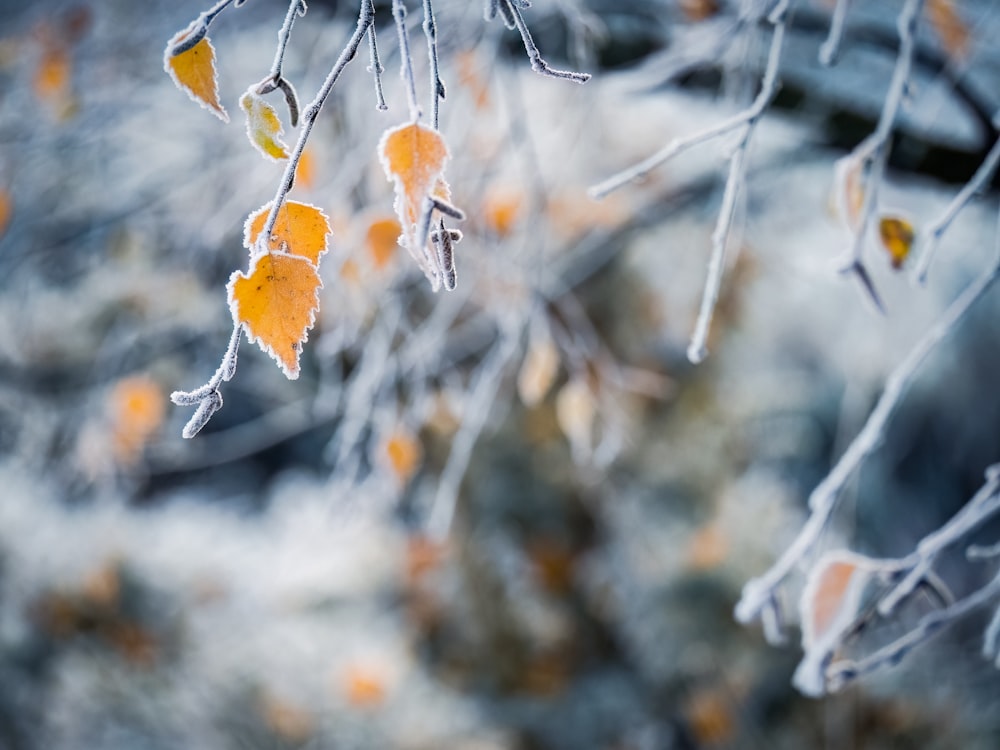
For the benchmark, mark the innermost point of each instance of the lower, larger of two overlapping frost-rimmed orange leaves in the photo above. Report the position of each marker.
(276, 304)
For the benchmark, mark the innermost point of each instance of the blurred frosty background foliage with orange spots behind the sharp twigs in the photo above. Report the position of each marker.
(274, 583)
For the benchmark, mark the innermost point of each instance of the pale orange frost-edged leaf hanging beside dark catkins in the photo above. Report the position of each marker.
(413, 157)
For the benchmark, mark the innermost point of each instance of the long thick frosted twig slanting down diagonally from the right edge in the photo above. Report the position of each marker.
(760, 594)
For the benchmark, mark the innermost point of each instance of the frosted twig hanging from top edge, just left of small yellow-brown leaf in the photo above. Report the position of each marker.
(871, 154)
